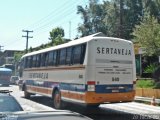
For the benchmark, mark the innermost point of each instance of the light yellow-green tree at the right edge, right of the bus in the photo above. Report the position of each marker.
(147, 34)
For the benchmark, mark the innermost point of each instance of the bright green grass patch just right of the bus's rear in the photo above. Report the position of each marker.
(145, 83)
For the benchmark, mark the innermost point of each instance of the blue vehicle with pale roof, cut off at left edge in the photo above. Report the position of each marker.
(5, 75)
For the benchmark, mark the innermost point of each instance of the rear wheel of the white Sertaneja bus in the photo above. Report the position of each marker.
(57, 100)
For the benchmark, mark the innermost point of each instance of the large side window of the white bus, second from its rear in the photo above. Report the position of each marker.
(77, 54)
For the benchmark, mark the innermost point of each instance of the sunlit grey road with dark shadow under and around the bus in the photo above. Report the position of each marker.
(120, 111)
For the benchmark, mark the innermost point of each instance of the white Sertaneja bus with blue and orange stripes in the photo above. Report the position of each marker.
(91, 70)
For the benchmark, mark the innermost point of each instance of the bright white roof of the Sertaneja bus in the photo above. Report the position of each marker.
(73, 42)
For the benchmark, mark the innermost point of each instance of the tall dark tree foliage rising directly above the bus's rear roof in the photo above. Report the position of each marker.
(105, 17)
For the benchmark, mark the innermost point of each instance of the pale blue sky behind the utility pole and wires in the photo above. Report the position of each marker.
(39, 16)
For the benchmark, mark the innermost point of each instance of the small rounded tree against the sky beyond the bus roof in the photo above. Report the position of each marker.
(56, 35)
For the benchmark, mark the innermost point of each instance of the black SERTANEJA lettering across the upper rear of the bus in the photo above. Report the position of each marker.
(117, 51)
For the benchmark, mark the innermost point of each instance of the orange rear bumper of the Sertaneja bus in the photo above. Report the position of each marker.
(92, 97)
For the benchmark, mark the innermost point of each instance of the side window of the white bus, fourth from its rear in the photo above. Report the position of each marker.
(62, 56)
